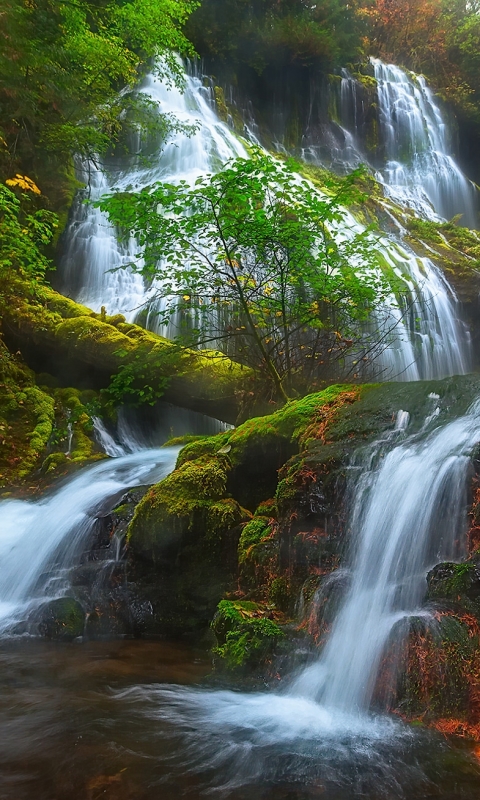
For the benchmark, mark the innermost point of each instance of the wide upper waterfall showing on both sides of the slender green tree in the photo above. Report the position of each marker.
(421, 336)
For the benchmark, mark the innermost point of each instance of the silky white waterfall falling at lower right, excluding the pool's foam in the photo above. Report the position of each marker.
(408, 510)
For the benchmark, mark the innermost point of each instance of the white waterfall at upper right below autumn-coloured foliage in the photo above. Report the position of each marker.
(419, 171)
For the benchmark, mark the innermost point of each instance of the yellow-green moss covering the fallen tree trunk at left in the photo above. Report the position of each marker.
(106, 346)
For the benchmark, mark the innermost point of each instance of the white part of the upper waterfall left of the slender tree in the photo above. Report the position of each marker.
(93, 261)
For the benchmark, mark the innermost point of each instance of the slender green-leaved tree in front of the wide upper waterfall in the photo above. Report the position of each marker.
(250, 257)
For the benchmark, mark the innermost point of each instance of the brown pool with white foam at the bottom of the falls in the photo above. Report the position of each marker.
(141, 720)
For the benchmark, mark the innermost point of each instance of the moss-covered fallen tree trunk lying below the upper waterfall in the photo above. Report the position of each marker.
(84, 349)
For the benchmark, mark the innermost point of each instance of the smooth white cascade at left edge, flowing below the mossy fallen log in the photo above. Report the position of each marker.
(41, 541)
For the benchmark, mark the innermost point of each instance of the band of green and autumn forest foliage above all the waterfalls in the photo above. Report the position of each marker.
(68, 70)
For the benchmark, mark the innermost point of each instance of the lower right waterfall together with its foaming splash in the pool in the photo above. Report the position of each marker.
(408, 511)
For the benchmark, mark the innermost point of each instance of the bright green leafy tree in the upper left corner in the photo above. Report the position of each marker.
(68, 69)
